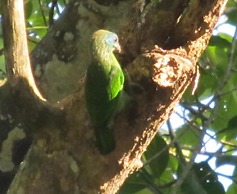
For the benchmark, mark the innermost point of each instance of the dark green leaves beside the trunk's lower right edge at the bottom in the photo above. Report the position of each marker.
(155, 161)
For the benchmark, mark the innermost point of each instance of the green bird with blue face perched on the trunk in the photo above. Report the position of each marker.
(104, 88)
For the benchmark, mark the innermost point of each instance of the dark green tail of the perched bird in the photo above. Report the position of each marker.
(105, 140)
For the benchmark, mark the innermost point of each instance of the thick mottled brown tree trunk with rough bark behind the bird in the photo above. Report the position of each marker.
(161, 43)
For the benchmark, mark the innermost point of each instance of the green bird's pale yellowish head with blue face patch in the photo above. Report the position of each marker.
(107, 40)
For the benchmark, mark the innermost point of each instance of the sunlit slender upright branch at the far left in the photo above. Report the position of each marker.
(16, 50)
